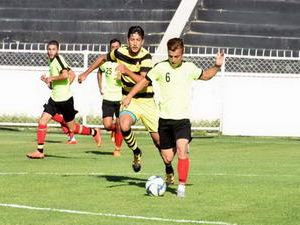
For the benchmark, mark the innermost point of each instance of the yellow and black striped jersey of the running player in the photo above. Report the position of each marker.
(142, 62)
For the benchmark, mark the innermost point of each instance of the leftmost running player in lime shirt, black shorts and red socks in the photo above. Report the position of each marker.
(61, 101)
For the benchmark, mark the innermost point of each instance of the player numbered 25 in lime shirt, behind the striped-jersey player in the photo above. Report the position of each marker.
(112, 96)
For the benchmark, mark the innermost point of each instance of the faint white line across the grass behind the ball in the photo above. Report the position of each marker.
(133, 174)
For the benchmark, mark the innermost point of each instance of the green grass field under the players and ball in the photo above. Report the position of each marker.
(233, 180)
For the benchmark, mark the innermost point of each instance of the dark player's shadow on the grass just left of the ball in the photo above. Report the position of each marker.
(124, 180)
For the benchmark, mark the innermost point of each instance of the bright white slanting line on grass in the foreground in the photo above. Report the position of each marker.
(113, 215)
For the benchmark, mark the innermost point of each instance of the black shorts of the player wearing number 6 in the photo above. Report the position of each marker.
(172, 130)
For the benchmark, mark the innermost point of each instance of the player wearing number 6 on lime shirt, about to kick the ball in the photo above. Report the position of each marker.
(174, 78)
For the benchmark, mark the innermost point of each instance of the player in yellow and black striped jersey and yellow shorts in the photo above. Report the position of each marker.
(135, 61)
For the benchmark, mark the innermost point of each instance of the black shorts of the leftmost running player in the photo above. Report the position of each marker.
(66, 108)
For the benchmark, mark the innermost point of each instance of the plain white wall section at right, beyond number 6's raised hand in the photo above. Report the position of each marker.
(261, 106)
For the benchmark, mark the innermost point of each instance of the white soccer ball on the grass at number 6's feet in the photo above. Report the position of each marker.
(156, 186)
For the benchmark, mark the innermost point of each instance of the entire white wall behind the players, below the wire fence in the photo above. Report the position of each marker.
(245, 104)
